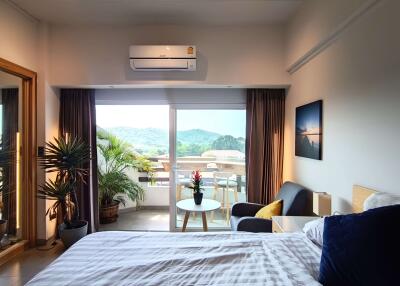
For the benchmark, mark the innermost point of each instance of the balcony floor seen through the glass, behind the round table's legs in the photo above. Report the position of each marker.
(158, 220)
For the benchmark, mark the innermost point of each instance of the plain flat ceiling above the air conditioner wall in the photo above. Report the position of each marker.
(179, 12)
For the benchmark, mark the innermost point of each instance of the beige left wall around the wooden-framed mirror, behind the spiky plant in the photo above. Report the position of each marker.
(24, 41)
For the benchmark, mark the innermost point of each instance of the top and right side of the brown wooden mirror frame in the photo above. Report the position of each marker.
(28, 150)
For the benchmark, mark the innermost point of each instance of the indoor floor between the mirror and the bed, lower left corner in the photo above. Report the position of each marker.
(23, 267)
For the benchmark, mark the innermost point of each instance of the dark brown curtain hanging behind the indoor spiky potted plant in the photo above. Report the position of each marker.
(78, 119)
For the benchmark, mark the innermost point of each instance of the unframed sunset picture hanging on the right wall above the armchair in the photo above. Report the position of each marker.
(309, 130)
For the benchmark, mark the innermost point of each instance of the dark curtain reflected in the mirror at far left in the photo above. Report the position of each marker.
(9, 101)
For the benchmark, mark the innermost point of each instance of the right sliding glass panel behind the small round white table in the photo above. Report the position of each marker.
(212, 141)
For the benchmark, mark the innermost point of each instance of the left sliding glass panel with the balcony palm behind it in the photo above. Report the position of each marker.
(136, 137)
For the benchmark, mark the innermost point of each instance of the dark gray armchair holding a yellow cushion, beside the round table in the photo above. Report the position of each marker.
(297, 201)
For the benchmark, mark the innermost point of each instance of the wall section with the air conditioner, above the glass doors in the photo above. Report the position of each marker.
(99, 55)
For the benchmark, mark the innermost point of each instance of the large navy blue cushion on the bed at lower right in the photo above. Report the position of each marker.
(362, 249)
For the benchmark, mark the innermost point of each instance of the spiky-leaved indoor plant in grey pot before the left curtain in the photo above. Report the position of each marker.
(65, 158)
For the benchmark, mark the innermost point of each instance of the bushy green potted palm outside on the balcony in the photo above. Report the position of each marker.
(116, 157)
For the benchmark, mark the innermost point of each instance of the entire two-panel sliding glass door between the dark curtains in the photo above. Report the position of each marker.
(175, 141)
